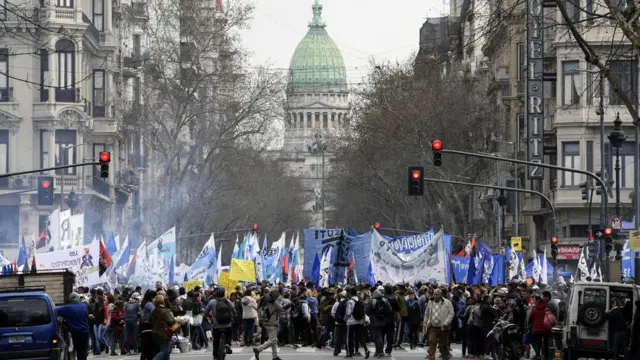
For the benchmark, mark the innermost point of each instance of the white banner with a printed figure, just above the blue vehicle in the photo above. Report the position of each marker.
(83, 261)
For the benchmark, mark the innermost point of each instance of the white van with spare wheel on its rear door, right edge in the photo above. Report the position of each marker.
(585, 331)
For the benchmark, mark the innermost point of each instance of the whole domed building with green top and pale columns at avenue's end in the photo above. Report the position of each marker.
(317, 107)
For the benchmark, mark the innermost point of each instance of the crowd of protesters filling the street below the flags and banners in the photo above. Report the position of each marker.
(336, 318)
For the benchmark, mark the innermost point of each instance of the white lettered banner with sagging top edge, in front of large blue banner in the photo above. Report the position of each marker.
(425, 264)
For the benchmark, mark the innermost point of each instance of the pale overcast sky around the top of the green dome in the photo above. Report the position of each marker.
(383, 29)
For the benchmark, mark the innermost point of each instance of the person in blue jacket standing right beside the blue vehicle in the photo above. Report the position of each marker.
(76, 317)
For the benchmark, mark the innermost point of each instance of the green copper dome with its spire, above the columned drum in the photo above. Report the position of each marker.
(317, 65)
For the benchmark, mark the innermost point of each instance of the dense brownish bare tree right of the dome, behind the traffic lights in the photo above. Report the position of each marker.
(398, 116)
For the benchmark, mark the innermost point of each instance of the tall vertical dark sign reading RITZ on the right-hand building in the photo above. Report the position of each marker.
(535, 96)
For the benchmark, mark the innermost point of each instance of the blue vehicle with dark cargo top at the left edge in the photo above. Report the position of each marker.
(29, 327)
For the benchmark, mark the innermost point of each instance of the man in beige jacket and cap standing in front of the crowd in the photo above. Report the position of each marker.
(437, 319)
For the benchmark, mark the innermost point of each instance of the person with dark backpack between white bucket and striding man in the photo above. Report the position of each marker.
(222, 313)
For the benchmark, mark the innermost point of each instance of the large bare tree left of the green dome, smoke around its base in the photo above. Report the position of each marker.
(202, 109)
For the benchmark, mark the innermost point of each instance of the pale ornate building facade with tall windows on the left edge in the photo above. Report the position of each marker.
(67, 69)
